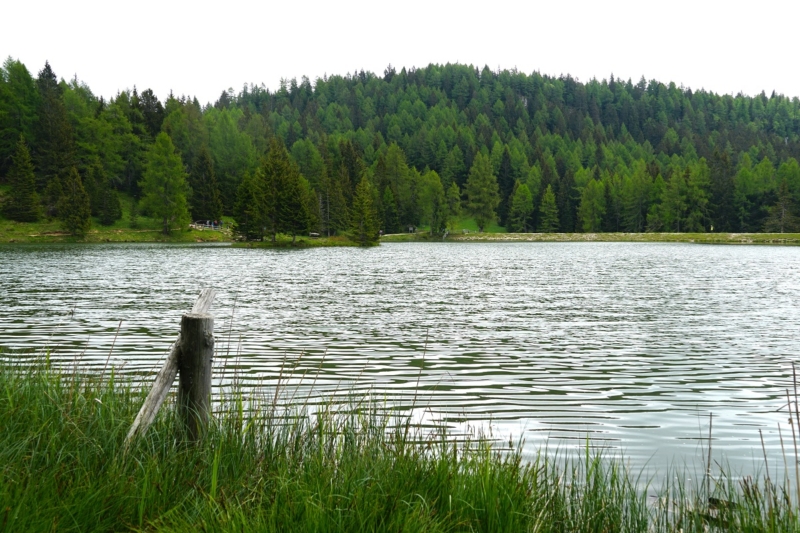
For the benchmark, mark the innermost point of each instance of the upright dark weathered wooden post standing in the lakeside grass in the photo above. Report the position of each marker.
(194, 369)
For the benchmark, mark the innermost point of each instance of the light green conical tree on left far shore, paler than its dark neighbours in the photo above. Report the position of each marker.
(164, 186)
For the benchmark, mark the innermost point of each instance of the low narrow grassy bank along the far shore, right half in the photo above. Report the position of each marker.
(702, 238)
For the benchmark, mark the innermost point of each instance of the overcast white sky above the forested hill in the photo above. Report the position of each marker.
(201, 48)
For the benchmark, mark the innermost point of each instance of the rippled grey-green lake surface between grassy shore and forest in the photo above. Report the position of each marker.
(630, 344)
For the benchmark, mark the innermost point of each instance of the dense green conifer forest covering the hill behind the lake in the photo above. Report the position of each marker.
(420, 147)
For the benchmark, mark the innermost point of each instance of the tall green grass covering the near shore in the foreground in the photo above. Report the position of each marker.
(347, 468)
